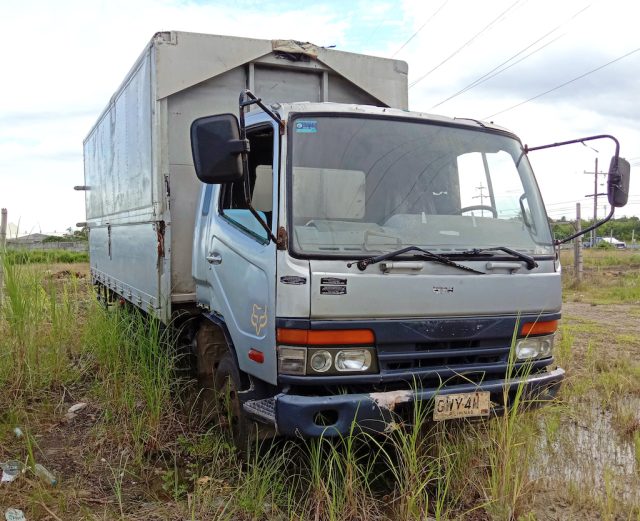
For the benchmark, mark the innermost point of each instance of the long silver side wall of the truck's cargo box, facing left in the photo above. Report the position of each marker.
(123, 213)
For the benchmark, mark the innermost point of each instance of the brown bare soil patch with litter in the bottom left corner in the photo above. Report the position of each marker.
(94, 474)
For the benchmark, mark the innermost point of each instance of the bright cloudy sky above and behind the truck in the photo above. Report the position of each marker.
(549, 70)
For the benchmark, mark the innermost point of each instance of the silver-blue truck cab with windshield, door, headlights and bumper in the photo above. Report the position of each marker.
(401, 256)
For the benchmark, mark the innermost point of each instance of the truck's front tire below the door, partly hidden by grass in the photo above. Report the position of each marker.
(231, 415)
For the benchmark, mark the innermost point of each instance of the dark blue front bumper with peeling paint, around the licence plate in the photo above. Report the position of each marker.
(297, 415)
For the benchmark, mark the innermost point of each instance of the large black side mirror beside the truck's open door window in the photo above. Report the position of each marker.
(217, 149)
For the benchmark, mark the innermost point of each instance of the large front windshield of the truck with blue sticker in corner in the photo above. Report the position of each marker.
(362, 185)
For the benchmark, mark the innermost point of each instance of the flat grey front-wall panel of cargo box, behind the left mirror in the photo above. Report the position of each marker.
(215, 96)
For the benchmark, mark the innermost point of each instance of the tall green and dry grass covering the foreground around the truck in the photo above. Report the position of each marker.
(140, 458)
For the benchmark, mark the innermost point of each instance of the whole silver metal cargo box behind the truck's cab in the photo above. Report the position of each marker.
(142, 191)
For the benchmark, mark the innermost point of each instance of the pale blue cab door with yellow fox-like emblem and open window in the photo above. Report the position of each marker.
(242, 258)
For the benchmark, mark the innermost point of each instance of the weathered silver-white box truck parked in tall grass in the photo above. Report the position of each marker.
(331, 256)
